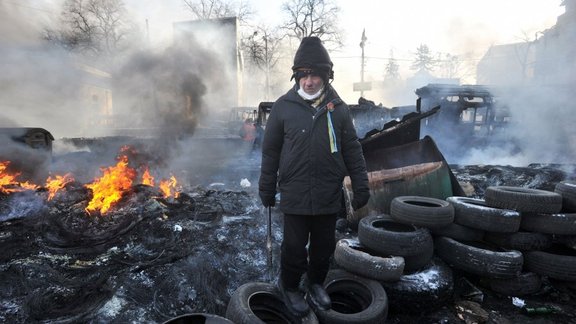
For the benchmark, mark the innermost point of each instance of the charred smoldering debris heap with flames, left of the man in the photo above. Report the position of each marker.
(148, 259)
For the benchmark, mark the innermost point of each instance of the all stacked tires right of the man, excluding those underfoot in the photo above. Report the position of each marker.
(509, 240)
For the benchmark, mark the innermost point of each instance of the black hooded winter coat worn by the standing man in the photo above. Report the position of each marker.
(296, 155)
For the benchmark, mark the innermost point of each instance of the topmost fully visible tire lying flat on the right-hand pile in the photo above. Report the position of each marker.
(523, 199)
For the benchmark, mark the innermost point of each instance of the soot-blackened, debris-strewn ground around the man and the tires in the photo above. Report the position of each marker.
(152, 259)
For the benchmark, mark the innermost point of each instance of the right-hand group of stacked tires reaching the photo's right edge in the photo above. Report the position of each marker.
(527, 236)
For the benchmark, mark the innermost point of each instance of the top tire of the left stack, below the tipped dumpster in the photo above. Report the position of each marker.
(421, 211)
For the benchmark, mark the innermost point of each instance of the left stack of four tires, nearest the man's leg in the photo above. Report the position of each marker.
(397, 250)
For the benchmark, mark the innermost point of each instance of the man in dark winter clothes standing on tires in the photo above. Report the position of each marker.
(309, 146)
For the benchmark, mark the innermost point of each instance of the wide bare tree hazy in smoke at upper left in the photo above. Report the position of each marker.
(96, 28)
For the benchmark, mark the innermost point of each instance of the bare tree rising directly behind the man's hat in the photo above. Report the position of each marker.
(313, 18)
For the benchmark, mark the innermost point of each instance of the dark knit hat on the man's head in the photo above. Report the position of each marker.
(311, 54)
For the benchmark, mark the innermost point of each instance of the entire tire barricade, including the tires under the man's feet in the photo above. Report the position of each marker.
(405, 262)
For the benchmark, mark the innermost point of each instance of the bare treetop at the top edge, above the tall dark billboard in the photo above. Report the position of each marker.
(211, 9)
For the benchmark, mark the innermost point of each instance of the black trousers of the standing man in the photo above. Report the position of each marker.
(318, 232)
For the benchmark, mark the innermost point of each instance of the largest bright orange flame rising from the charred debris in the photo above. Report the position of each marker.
(110, 188)
